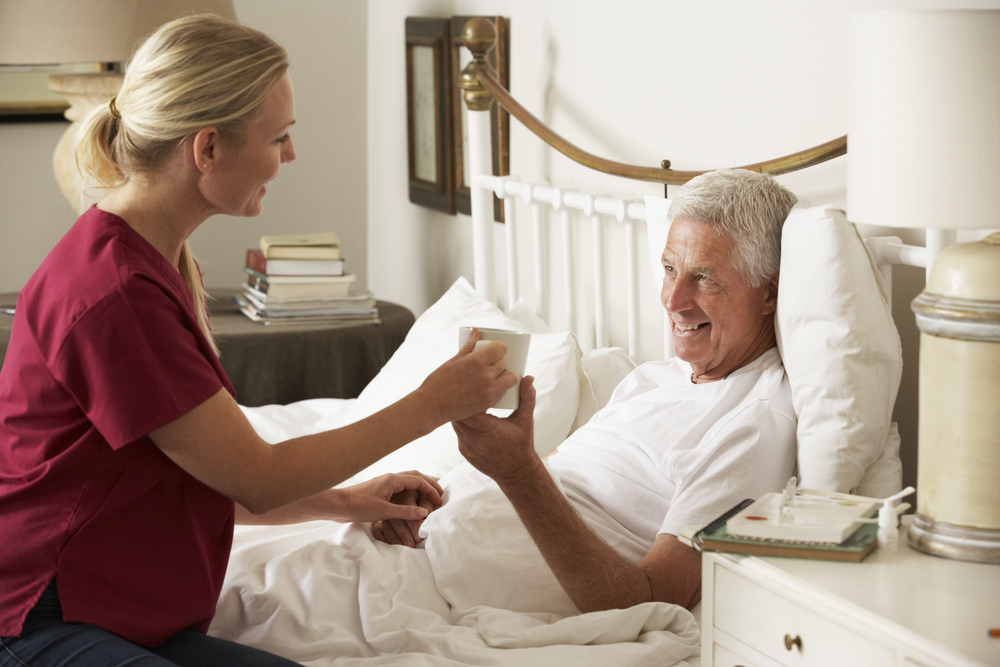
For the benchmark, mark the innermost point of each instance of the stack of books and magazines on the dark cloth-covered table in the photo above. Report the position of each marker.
(301, 278)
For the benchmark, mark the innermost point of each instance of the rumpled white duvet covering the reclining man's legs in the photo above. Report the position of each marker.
(476, 592)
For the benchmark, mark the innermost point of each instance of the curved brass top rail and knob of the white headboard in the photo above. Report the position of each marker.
(479, 81)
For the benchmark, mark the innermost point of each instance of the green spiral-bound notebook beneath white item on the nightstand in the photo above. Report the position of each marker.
(859, 542)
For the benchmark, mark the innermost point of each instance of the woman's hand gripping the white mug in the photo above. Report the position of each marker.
(469, 383)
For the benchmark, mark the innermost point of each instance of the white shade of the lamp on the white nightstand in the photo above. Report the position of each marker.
(924, 118)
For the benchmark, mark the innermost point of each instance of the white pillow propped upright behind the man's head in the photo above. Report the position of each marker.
(842, 354)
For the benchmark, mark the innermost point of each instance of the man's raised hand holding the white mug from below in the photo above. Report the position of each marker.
(503, 449)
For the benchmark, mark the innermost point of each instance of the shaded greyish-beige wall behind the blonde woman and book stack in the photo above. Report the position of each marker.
(323, 189)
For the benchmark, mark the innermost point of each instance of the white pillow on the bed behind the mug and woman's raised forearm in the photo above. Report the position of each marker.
(433, 339)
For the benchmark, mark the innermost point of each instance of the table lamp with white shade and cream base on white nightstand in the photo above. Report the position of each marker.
(924, 137)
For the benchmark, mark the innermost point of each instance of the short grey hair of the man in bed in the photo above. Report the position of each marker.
(749, 207)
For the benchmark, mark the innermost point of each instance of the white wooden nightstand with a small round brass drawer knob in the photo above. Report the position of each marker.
(906, 609)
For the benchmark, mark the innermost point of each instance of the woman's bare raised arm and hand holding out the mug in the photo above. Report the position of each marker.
(216, 444)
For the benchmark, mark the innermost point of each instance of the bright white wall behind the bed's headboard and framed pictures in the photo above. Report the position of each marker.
(703, 84)
